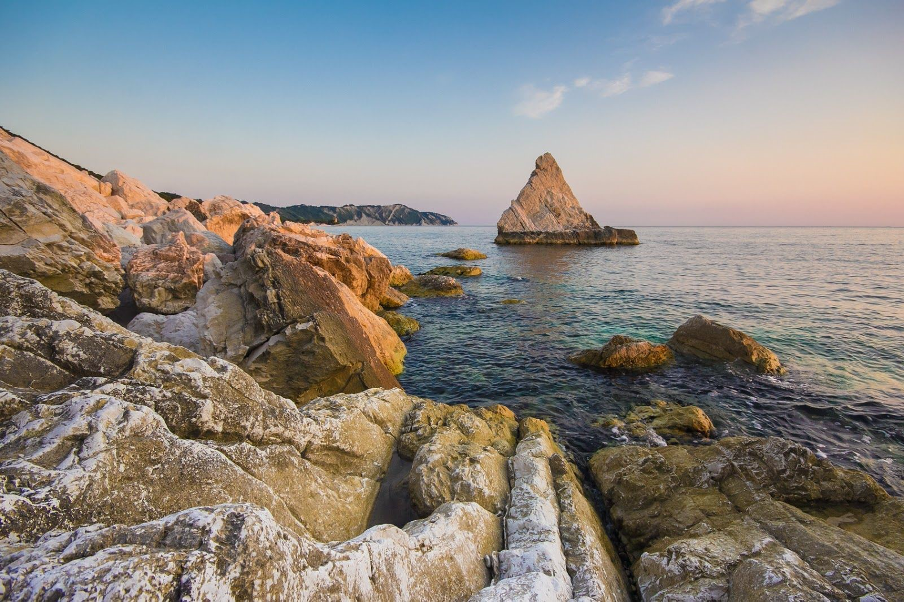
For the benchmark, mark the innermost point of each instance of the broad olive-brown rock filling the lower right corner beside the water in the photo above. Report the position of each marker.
(751, 518)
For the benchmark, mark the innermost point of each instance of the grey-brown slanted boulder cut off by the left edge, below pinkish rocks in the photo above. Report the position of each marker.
(43, 237)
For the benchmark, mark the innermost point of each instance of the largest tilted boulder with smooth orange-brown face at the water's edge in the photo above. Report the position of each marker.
(290, 325)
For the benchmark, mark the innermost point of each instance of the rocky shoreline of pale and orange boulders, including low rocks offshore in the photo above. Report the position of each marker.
(234, 440)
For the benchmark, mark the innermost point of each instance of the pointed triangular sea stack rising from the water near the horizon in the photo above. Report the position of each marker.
(547, 212)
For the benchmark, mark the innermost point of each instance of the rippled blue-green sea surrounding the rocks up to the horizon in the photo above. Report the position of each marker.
(828, 301)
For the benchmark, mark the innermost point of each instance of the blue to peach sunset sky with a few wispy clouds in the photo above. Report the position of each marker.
(660, 112)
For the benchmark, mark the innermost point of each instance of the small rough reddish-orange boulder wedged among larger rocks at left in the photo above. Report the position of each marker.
(166, 278)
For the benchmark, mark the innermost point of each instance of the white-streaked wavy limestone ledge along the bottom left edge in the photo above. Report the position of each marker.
(238, 552)
